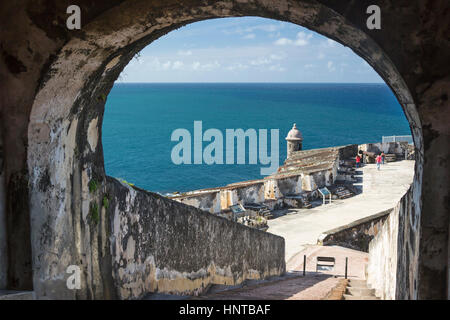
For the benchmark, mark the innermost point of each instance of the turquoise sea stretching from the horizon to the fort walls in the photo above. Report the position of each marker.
(140, 118)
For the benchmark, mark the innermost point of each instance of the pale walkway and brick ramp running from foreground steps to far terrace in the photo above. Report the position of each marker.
(381, 190)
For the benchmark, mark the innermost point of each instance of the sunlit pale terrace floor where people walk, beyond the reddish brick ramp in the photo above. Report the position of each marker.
(381, 190)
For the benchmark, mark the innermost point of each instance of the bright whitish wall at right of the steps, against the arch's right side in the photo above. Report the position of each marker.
(393, 253)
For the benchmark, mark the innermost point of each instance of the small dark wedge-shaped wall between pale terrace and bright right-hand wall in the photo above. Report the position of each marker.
(356, 235)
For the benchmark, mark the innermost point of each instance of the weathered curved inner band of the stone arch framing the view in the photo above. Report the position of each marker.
(69, 109)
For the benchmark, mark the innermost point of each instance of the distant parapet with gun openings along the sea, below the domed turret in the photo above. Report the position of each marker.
(300, 175)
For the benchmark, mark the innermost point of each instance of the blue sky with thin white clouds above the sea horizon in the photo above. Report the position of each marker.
(247, 49)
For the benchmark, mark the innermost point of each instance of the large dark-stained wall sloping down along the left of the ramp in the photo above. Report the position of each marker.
(159, 245)
